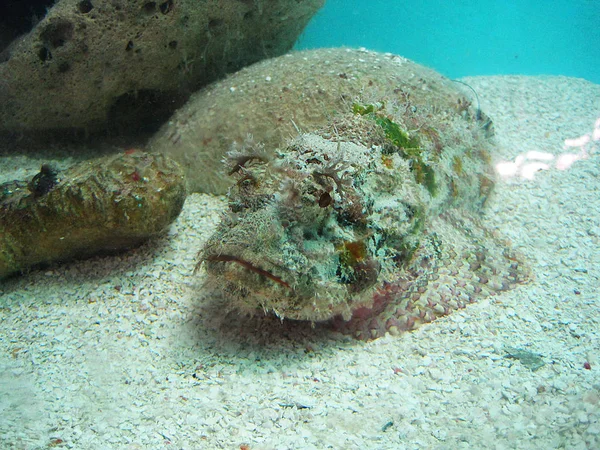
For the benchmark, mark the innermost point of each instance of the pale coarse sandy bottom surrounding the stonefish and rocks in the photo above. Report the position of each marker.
(127, 352)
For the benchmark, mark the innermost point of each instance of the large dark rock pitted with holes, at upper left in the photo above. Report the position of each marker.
(93, 64)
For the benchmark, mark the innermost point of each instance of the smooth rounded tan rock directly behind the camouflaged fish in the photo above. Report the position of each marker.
(273, 98)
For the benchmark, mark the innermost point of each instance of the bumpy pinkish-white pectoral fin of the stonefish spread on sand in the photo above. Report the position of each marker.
(458, 262)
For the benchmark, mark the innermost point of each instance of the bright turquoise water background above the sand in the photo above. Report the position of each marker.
(469, 37)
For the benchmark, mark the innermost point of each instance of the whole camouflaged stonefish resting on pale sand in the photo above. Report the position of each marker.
(369, 223)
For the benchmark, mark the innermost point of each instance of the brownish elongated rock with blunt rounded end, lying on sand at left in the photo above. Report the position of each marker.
(108, 204)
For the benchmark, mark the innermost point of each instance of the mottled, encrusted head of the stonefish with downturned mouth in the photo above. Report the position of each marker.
(298, 239)
